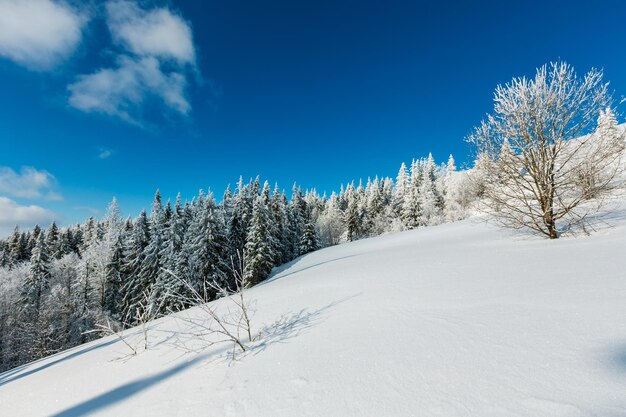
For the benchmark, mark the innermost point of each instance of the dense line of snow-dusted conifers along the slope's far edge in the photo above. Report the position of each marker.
(56, 285)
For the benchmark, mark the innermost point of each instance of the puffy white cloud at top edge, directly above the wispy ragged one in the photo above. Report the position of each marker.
(157, 32)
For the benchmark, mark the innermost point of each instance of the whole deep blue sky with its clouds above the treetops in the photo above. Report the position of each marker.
(119, 98)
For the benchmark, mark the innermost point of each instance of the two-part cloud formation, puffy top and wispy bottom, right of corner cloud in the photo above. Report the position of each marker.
(157, 54)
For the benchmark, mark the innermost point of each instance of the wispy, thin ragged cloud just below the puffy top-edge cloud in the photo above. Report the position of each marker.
(123, 90)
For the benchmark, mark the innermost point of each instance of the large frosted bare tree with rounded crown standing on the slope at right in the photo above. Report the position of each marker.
(551, 151)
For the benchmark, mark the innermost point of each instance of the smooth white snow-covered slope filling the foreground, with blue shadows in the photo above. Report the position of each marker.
(455, 320)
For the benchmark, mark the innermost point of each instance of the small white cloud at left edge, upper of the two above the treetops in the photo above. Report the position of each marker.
(28, 183)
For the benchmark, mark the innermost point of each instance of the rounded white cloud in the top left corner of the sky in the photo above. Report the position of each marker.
(39, 34)
